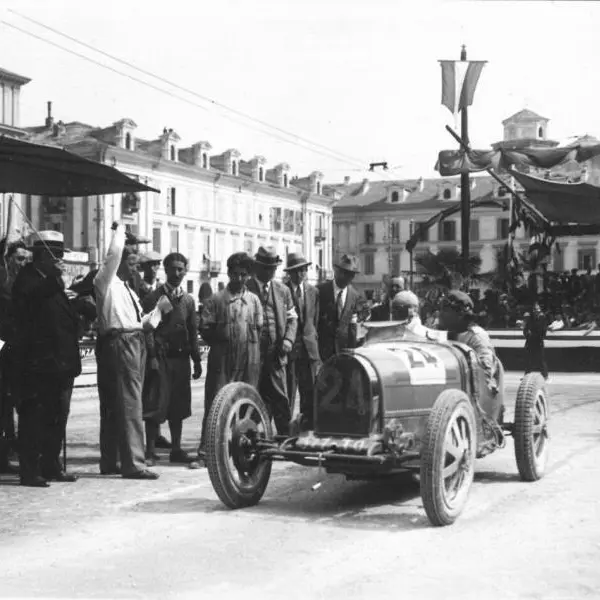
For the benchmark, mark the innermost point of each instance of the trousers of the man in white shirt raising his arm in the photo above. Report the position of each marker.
(121, 359)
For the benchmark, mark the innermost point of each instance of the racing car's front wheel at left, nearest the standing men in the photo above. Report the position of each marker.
(238, 474)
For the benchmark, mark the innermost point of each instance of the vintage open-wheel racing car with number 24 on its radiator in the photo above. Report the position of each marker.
(397, 403)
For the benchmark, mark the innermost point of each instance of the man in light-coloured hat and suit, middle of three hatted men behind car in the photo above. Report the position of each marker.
(303, 360)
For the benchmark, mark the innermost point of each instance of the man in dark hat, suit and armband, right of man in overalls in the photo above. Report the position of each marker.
(278, 335)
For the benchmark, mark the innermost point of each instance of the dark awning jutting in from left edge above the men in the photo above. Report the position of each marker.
(27, 168)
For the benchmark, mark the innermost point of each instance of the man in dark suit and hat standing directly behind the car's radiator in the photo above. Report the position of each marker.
(339, 304)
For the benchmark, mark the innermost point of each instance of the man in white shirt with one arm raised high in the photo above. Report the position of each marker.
(121, 358)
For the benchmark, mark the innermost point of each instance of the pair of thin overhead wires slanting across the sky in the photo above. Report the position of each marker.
(331, 153)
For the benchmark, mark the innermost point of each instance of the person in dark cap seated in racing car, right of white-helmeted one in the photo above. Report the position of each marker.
(458, 318)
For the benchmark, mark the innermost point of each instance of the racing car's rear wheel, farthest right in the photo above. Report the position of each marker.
(532, 411)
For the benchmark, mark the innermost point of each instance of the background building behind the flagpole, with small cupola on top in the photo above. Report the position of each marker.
(375, 219)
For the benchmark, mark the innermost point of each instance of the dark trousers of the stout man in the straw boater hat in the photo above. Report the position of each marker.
(43, 413)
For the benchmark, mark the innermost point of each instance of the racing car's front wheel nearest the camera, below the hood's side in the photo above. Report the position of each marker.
(448, 457)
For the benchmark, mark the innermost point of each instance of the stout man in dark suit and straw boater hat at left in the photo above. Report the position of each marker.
(48, 357)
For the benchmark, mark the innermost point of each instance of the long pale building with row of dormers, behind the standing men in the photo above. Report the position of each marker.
(209, 206)
